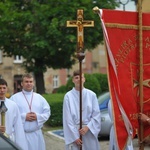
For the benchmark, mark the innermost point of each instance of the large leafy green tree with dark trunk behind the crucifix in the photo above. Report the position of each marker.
(36, 30)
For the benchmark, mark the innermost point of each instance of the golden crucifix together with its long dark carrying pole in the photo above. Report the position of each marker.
(80, 23)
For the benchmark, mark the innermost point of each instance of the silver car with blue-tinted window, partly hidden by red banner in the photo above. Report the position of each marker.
(105, 119)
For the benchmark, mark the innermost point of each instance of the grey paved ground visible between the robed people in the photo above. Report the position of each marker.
(54, 142)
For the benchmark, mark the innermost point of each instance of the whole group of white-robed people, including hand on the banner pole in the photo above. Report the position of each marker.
(27, 111)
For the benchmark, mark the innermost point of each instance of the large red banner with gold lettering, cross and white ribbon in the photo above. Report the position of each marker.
(121, 34)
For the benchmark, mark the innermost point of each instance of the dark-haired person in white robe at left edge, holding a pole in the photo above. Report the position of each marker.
(13, 128)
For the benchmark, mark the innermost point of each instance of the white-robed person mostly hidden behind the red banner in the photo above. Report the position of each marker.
(112, 138)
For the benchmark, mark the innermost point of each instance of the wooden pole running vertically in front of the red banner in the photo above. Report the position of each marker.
(141, 147)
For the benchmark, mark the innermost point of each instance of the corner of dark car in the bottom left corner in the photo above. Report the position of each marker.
(7, 144)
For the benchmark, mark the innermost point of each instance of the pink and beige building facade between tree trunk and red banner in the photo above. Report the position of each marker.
(94, 62)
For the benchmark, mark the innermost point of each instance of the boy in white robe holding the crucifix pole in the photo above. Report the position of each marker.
(91, 120)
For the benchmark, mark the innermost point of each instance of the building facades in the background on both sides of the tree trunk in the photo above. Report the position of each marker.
(11, 70)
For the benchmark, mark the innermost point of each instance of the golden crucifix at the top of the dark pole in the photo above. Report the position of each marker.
(80, 23)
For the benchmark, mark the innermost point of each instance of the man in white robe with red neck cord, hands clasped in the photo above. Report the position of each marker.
(35, 111)
